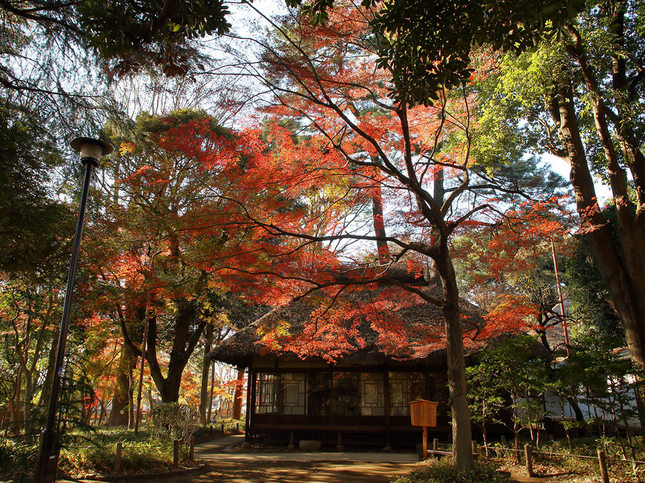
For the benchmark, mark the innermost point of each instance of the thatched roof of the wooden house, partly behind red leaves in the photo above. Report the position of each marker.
(359, 325)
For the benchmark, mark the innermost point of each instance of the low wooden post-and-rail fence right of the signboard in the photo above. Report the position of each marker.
(528, 453)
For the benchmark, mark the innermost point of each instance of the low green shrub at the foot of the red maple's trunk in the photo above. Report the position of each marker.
(443, 471)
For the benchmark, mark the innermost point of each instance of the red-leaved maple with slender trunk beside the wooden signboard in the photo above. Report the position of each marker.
(326, 77)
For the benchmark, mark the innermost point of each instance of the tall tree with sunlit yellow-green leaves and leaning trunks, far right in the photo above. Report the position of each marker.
(582, 97)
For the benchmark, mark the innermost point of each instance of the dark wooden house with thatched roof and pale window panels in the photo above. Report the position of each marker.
(356, 390)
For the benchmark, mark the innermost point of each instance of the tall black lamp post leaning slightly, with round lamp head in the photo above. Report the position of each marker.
(91, 151)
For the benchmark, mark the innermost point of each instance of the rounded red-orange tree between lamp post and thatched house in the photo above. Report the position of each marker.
(177, 237)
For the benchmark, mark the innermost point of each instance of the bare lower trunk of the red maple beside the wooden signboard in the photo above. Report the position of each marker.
(461, 429)
